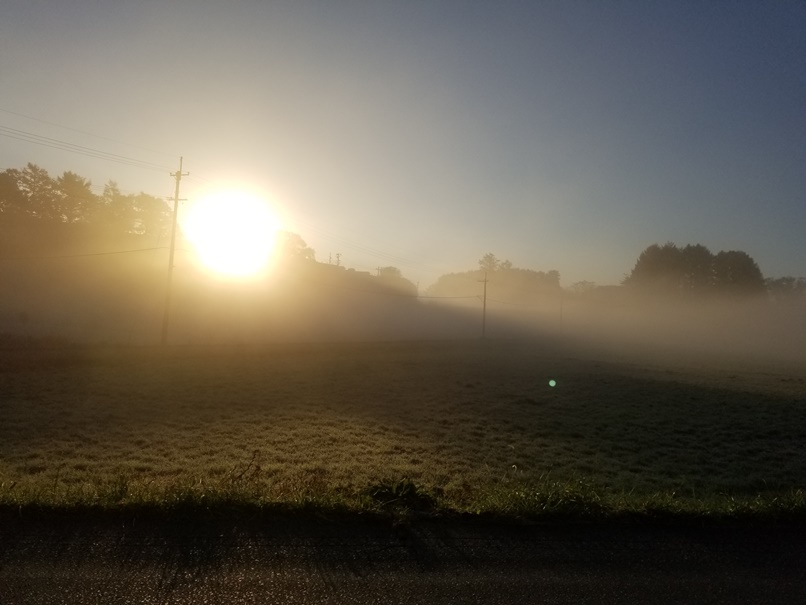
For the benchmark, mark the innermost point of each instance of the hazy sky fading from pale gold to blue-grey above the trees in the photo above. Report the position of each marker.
(423, 134)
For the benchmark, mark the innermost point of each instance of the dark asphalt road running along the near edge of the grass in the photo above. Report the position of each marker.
(285, 560)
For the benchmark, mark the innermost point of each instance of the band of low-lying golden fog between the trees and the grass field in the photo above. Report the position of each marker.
(121, 302)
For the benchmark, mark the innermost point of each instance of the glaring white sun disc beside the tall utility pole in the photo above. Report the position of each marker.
(233, 232)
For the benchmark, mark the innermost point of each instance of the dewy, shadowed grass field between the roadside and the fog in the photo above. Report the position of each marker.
(454, 426)
